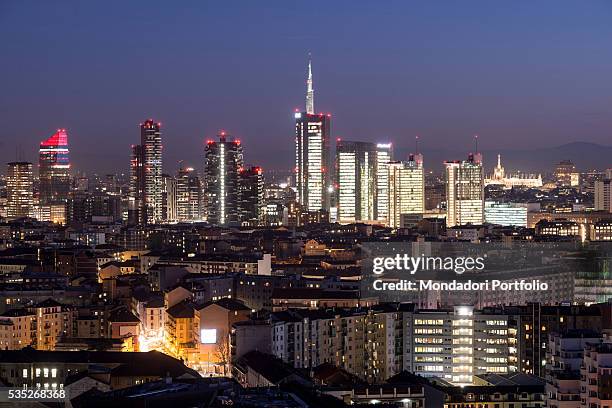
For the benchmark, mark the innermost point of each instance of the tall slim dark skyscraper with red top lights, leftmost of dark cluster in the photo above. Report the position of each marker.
(146, 182)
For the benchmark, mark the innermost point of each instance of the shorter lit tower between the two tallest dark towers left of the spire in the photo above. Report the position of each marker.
(188, 195)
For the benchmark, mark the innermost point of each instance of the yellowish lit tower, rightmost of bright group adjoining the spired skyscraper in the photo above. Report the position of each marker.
(406, 191)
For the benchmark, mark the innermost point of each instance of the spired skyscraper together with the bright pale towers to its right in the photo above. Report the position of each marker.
(367, 185)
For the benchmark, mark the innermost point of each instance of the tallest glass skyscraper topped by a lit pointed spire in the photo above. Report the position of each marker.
(312, 155)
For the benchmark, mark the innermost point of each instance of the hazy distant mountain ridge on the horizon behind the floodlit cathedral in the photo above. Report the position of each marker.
(586, 156)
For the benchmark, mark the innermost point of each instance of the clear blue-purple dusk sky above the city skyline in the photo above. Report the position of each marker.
(520, 74)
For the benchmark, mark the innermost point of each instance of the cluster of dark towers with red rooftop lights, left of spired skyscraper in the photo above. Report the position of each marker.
(229, 193)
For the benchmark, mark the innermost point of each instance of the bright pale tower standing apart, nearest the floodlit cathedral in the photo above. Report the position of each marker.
(464, 191)
